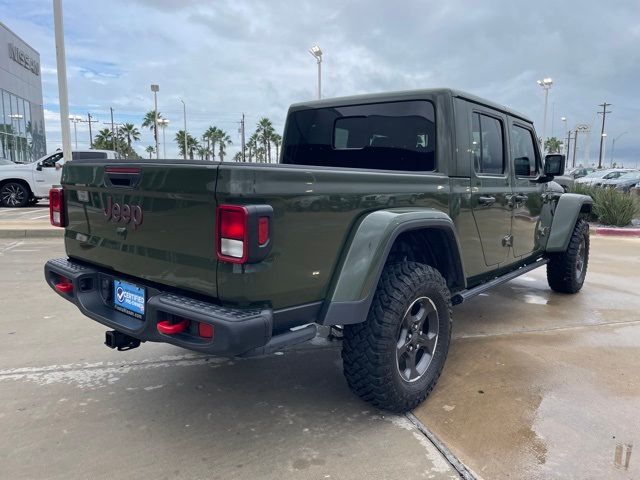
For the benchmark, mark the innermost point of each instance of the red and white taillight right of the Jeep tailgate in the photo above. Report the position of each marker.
(232, 241)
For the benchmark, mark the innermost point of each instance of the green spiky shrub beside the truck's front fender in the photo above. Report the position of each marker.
(610, 206)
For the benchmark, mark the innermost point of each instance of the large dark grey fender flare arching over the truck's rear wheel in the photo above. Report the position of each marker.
(366, 251)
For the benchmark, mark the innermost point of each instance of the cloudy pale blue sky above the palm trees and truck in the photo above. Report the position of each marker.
(226, 58)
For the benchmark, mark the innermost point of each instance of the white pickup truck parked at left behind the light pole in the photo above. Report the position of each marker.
(23, 184)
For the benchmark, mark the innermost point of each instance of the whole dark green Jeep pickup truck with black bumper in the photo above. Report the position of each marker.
(383, 212)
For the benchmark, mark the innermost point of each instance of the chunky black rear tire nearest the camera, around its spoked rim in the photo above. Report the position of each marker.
(369, 350)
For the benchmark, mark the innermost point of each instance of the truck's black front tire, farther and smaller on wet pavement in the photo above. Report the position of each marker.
(566, 271)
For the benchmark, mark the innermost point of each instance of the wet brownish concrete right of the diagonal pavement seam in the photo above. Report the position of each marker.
(540, 385)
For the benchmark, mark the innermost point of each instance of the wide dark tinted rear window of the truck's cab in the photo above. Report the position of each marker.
(385, 136)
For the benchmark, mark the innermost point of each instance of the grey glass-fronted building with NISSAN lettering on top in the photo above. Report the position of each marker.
(22, 137)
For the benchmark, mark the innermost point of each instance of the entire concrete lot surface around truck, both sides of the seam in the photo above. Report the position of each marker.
(537, 385)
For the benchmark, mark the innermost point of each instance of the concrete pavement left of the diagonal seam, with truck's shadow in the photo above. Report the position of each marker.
(70, 408)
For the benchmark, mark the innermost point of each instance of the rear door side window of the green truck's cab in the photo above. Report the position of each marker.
(487, 145)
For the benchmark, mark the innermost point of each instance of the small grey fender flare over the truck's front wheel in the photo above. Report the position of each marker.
(565, 216)
